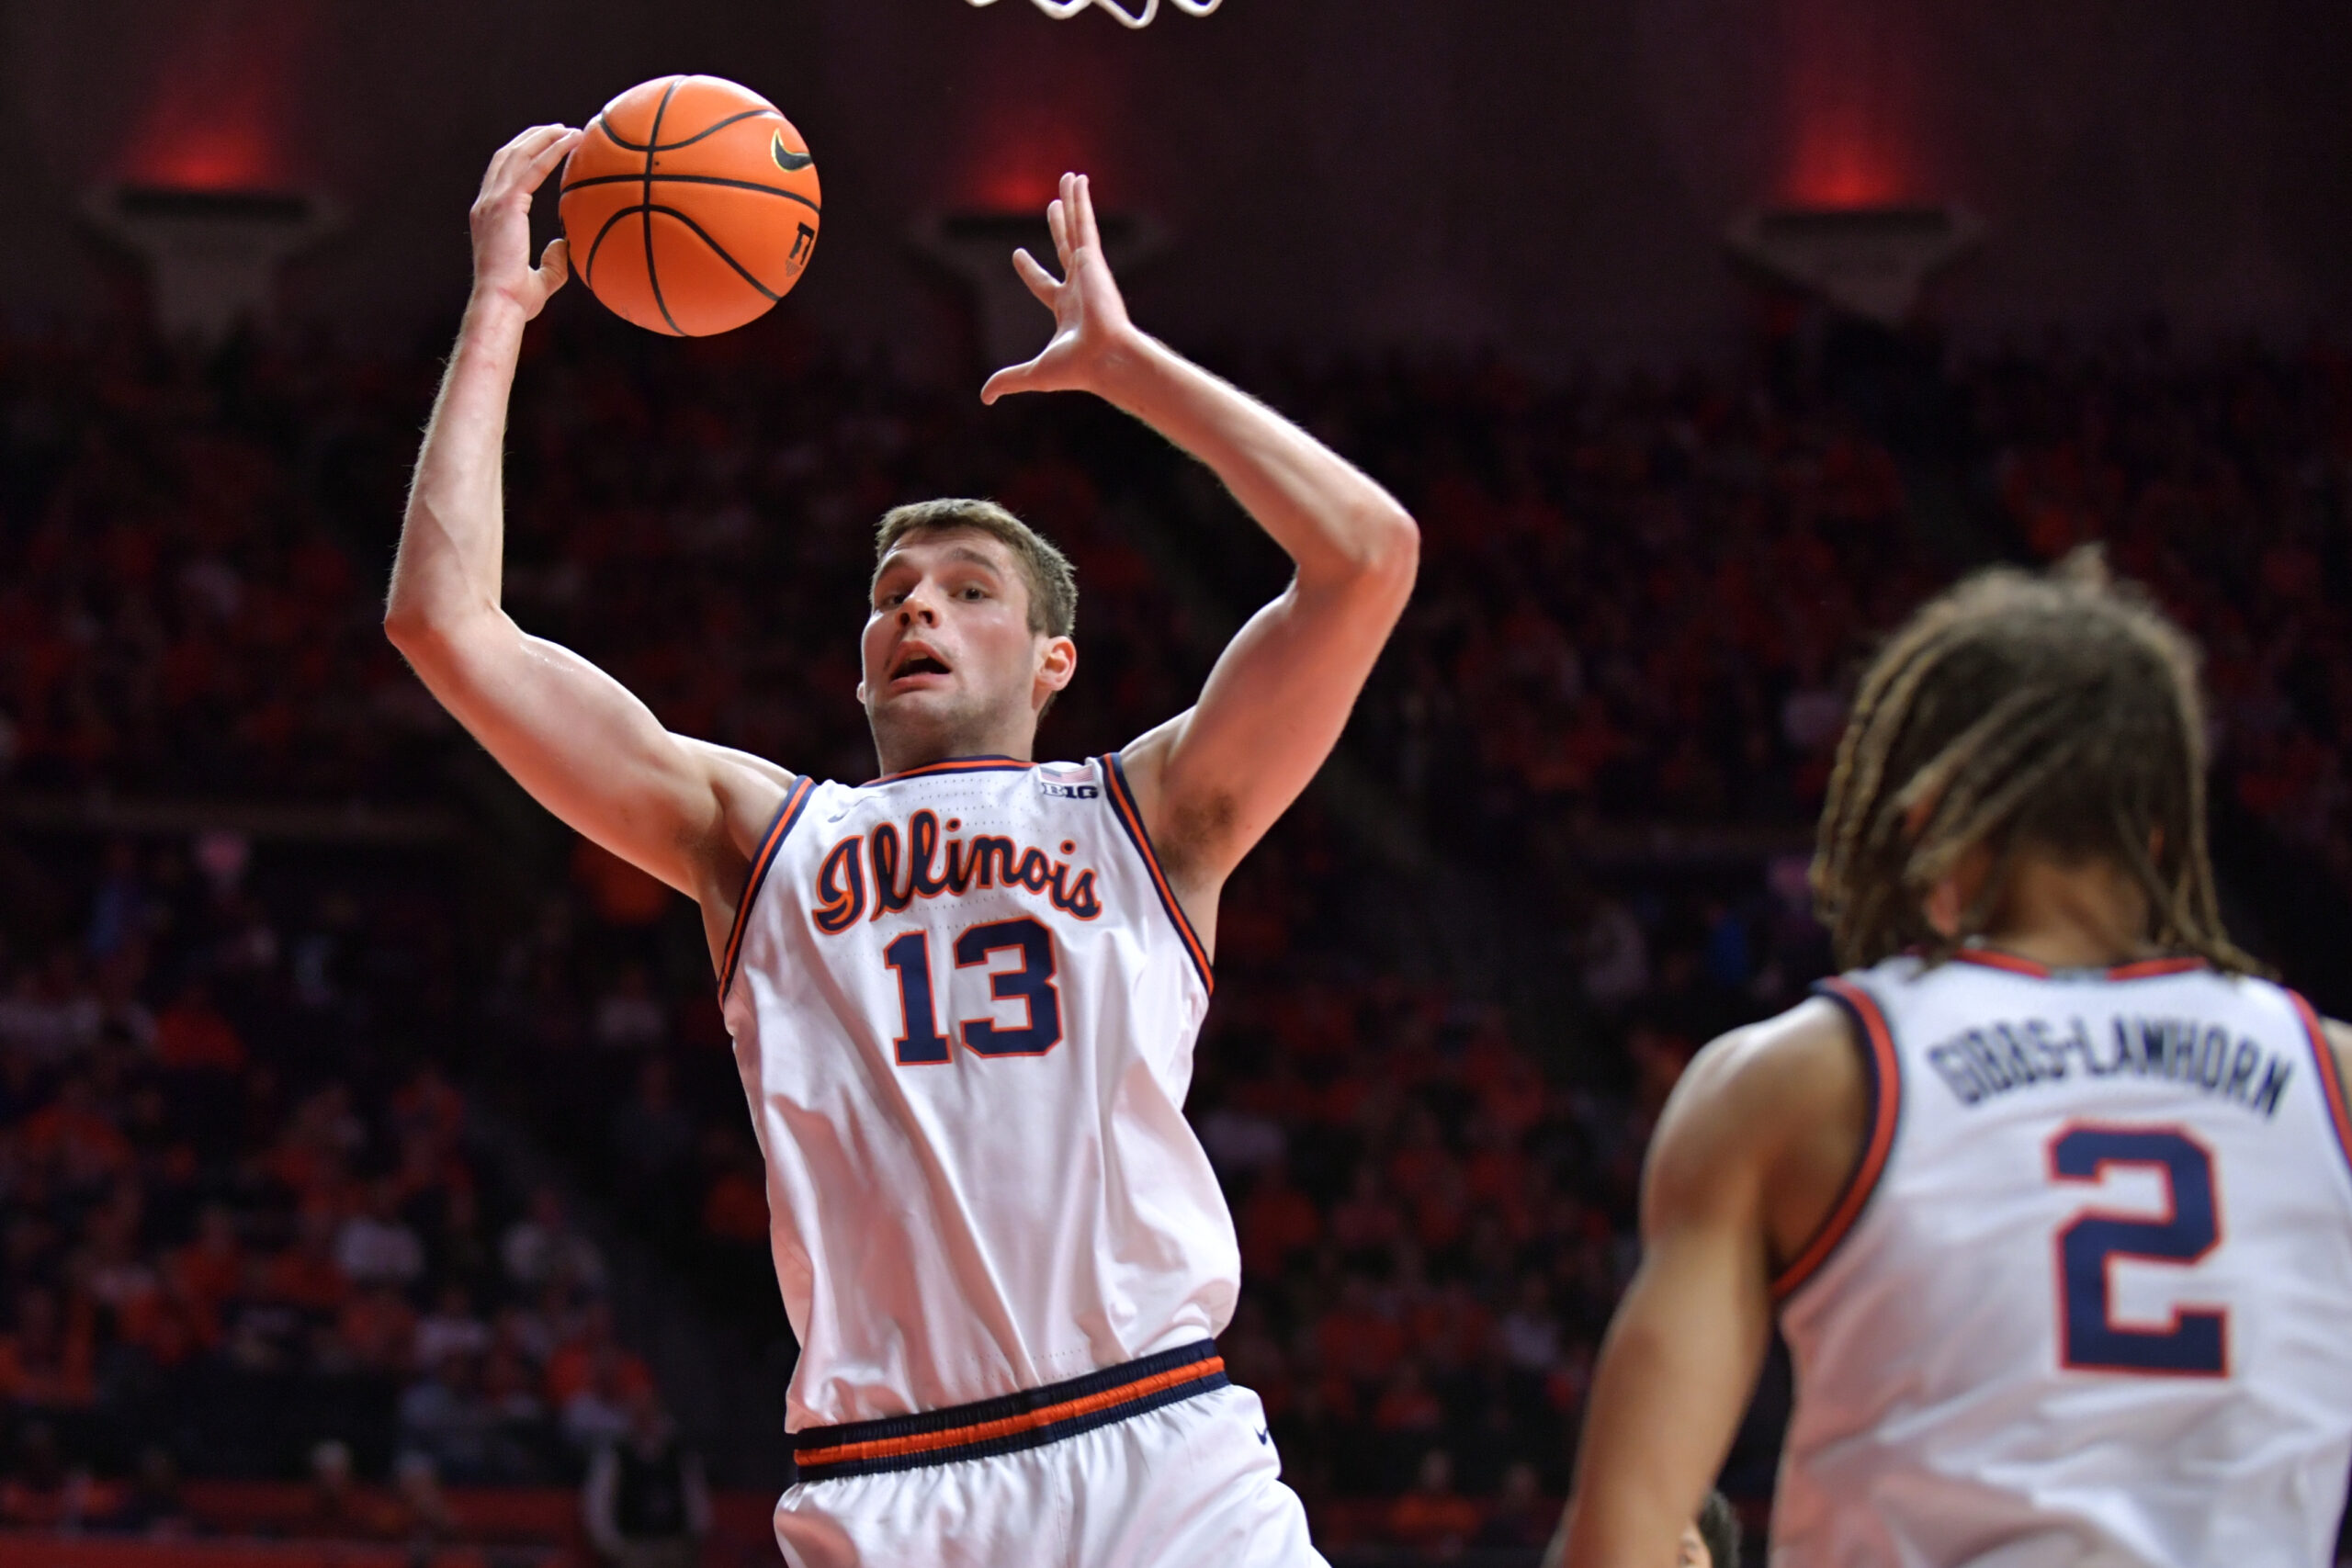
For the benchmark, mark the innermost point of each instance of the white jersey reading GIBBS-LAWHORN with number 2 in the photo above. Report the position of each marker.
(2090, 1294)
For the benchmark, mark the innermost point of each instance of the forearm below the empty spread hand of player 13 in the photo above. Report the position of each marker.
(1332, 521)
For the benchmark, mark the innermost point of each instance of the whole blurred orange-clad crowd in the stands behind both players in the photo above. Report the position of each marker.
(241, 1139)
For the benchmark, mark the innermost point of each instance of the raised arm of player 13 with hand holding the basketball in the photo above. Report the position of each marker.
(570, 735)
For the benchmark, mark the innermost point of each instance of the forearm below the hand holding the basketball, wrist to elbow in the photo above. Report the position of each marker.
(453, 537)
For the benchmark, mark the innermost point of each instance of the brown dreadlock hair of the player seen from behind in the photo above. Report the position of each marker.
(2022, 711)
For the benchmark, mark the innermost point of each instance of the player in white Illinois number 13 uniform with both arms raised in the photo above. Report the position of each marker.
(965, 993)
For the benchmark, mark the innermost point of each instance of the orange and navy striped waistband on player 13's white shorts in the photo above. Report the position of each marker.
(1013, 1423)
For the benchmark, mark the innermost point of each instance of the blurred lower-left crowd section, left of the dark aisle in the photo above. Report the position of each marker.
(253, 1228)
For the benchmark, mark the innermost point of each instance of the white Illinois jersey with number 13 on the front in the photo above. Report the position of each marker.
(963, 1005)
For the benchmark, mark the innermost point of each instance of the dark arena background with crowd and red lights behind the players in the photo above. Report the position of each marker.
(370, 1146)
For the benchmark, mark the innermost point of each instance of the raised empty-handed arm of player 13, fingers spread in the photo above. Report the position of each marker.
(1215, 779)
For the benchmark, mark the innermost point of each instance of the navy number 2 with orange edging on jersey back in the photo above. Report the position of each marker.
(2090, 1336)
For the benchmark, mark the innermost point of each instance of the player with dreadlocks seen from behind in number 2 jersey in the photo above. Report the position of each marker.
(2050, 1193)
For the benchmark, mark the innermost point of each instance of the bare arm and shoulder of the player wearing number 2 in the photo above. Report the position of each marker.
(1732, 1186)
